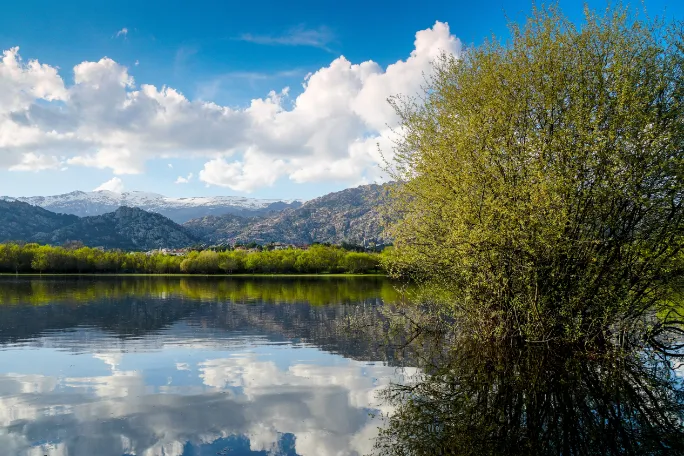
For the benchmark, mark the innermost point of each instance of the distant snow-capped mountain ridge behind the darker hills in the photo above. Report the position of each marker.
(177, 209)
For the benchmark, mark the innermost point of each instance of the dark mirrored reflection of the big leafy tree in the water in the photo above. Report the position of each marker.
(508, 397)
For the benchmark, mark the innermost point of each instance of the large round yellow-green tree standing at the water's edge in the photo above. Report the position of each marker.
(540, 181)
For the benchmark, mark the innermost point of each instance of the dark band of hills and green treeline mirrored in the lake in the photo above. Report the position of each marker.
(160, 310)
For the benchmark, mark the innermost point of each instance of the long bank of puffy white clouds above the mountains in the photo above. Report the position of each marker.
(331, 131)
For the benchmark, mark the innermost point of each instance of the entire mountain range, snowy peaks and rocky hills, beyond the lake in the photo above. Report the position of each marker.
(350, 215)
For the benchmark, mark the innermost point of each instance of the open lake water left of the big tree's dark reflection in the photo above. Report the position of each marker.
(188, 367)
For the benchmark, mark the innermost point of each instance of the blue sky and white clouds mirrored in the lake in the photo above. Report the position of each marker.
(86, 393)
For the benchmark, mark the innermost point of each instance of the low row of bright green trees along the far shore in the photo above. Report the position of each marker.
(318, 259)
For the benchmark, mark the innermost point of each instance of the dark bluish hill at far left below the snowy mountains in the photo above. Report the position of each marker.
(126, 228)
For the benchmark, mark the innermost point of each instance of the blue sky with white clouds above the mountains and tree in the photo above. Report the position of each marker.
(267, 99)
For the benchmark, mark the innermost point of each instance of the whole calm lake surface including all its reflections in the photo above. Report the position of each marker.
(305, 366)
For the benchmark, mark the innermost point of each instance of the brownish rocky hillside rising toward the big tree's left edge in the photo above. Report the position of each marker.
(351, 215)
